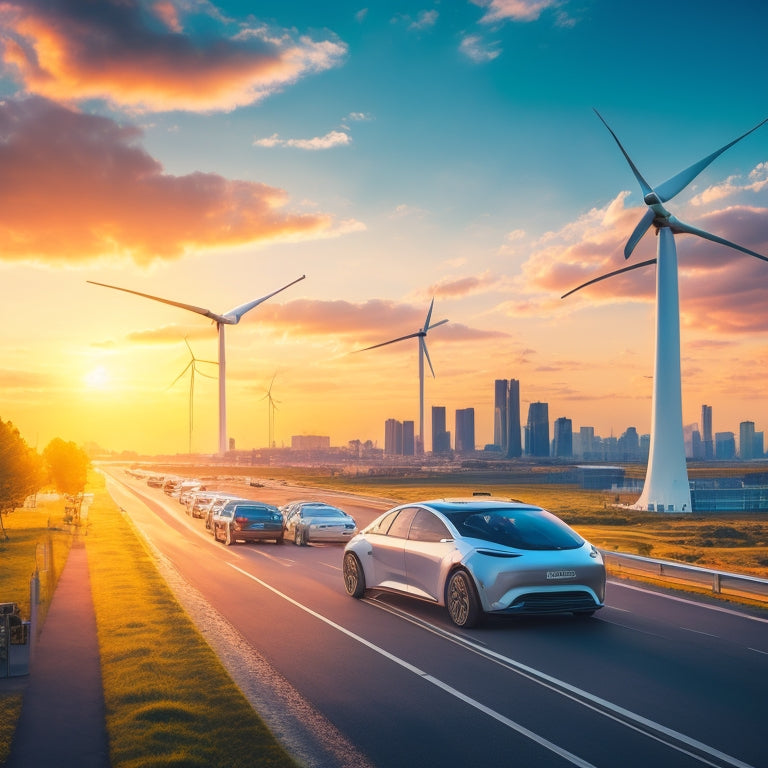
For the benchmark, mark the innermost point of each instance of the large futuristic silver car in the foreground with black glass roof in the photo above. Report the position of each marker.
(477, 556)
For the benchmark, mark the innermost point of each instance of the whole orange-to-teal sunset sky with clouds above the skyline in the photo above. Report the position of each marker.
(211, 152)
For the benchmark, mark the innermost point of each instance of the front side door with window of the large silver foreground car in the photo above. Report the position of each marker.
(429, 545)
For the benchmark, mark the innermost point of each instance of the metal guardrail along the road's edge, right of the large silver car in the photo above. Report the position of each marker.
(667, 572)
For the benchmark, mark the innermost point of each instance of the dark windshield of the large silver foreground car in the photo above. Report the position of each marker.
(518, 528)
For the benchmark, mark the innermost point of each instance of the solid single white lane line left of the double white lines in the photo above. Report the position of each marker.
(568, 756)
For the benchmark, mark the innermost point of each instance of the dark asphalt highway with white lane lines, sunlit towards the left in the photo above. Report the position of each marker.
(653, 679)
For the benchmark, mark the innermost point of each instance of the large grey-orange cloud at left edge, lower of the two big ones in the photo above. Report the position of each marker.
(76, 187)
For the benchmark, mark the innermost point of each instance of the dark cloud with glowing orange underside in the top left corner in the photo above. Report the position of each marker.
(153, 57)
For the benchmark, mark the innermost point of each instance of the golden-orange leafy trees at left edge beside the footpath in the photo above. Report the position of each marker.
(23, 471)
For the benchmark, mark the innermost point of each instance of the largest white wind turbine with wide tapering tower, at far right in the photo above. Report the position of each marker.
(666, 481)
